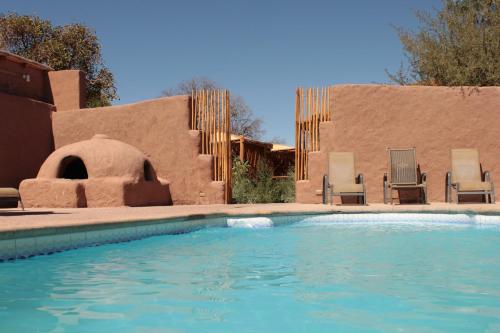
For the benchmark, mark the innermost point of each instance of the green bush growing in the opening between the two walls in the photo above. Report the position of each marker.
(260, 187)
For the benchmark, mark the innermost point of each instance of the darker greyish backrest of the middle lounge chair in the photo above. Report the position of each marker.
(403, 166)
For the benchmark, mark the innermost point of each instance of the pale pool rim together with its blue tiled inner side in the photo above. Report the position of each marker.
(23, 236)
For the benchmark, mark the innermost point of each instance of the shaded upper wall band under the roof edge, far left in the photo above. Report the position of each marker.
(34, 84)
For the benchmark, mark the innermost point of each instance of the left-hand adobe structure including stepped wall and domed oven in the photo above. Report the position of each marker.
(43, 111)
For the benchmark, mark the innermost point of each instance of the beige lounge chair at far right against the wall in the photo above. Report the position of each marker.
(466, 176)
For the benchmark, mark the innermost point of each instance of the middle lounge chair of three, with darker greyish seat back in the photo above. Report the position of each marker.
(404, 174)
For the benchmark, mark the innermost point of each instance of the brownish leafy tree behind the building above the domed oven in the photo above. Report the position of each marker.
(72, 46)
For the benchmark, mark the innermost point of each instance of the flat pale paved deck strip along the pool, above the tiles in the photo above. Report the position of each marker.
(14, 220)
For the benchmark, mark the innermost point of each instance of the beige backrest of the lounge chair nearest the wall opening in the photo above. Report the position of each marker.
(341, 168)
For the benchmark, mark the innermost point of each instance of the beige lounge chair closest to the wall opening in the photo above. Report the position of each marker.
(341, 179)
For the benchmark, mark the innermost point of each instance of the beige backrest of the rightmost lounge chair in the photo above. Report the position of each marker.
(465, 165)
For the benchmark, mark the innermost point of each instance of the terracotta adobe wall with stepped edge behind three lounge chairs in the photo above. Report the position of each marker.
(367, 119)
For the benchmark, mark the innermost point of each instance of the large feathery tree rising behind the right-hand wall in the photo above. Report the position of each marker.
(458, 46)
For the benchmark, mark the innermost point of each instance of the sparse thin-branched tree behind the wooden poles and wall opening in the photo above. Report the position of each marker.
(243, 121)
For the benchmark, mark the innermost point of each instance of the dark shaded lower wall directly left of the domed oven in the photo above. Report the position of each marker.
(26, 138)
